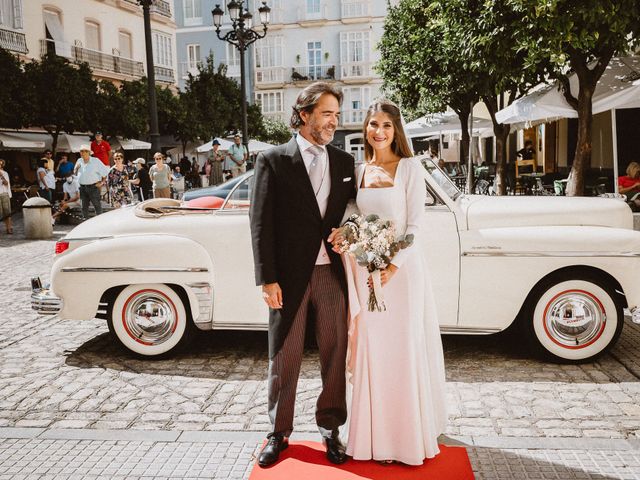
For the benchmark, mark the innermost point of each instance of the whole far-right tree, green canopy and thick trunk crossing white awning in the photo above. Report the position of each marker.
(579, 36)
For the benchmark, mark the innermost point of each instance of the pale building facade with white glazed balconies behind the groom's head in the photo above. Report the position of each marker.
(330, 40)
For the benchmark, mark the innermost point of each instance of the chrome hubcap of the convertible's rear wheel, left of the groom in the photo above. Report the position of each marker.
(150, 318)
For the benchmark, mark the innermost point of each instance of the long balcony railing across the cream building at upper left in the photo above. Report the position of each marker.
(96, 60)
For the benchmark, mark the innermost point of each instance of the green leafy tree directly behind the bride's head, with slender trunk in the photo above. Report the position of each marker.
(422, 68)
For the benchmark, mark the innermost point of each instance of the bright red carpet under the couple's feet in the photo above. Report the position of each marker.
(307, 461)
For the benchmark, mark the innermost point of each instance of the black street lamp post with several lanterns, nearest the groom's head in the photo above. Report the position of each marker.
(241, 36)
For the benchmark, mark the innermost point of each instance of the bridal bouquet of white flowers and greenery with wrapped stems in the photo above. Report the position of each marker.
(372, 241)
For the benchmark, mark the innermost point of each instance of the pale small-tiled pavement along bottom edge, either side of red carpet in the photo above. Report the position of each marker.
(115, 460)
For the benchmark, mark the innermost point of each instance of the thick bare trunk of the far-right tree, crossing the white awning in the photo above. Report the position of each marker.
(582, 158)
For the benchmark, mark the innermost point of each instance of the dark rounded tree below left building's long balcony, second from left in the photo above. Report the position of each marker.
(60, 96)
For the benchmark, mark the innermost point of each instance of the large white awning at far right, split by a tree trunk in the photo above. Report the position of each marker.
(619, 87)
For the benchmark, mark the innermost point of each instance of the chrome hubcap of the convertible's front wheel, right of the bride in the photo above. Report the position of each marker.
(574, 319)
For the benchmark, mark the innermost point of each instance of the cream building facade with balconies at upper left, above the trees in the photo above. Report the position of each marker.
(107, 34)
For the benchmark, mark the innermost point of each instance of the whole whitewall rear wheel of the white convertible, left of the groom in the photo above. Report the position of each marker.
(150, 320)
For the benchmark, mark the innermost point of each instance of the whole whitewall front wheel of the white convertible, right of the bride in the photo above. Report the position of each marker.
(573, 320)
